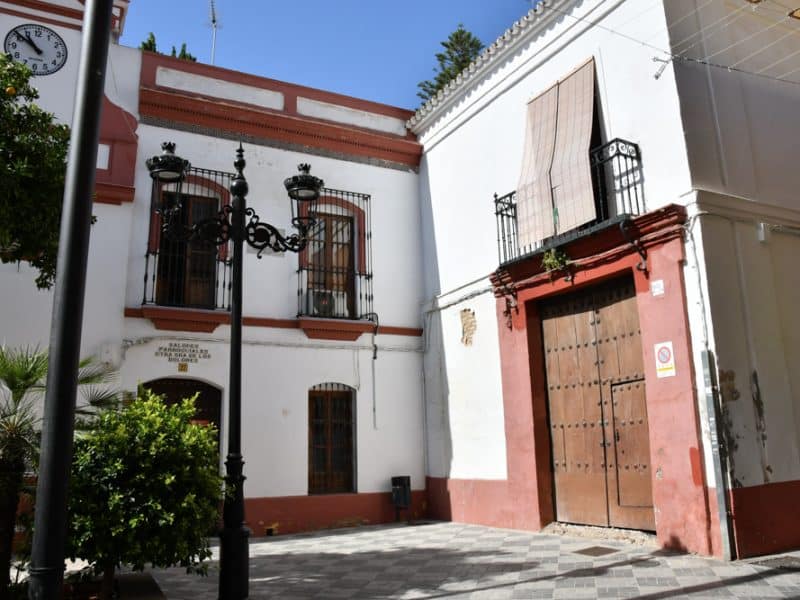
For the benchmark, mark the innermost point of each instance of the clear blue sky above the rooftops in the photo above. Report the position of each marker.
(372, 49)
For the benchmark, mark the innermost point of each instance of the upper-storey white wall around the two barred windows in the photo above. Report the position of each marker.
(270, 284)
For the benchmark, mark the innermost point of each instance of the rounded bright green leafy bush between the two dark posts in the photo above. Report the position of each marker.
(145, 488)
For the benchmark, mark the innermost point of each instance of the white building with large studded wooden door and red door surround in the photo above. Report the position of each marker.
(630, 363)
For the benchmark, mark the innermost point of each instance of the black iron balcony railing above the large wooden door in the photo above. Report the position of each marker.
(617, 185)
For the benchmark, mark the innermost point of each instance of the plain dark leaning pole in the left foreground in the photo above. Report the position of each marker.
(49, 534)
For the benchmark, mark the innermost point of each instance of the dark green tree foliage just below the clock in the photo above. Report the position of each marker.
(33, 153)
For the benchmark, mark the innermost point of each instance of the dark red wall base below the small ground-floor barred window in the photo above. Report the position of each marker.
(293, 514)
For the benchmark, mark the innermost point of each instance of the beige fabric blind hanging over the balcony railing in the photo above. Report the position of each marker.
(555, 189)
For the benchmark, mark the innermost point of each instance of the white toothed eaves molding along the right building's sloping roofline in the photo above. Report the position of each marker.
(536, 21)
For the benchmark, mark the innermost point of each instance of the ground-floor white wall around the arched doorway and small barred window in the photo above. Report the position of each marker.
(278, 368)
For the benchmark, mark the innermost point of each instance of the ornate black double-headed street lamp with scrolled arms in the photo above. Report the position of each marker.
(238, 224)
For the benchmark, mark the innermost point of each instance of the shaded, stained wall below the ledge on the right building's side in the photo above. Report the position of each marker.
(752, 294)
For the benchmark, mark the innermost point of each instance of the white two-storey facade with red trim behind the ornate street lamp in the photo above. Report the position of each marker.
(332, 339)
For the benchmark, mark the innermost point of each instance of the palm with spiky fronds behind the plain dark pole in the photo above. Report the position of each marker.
(22, 379)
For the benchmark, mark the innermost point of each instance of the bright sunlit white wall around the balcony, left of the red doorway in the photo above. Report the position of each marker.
(473, 149)
